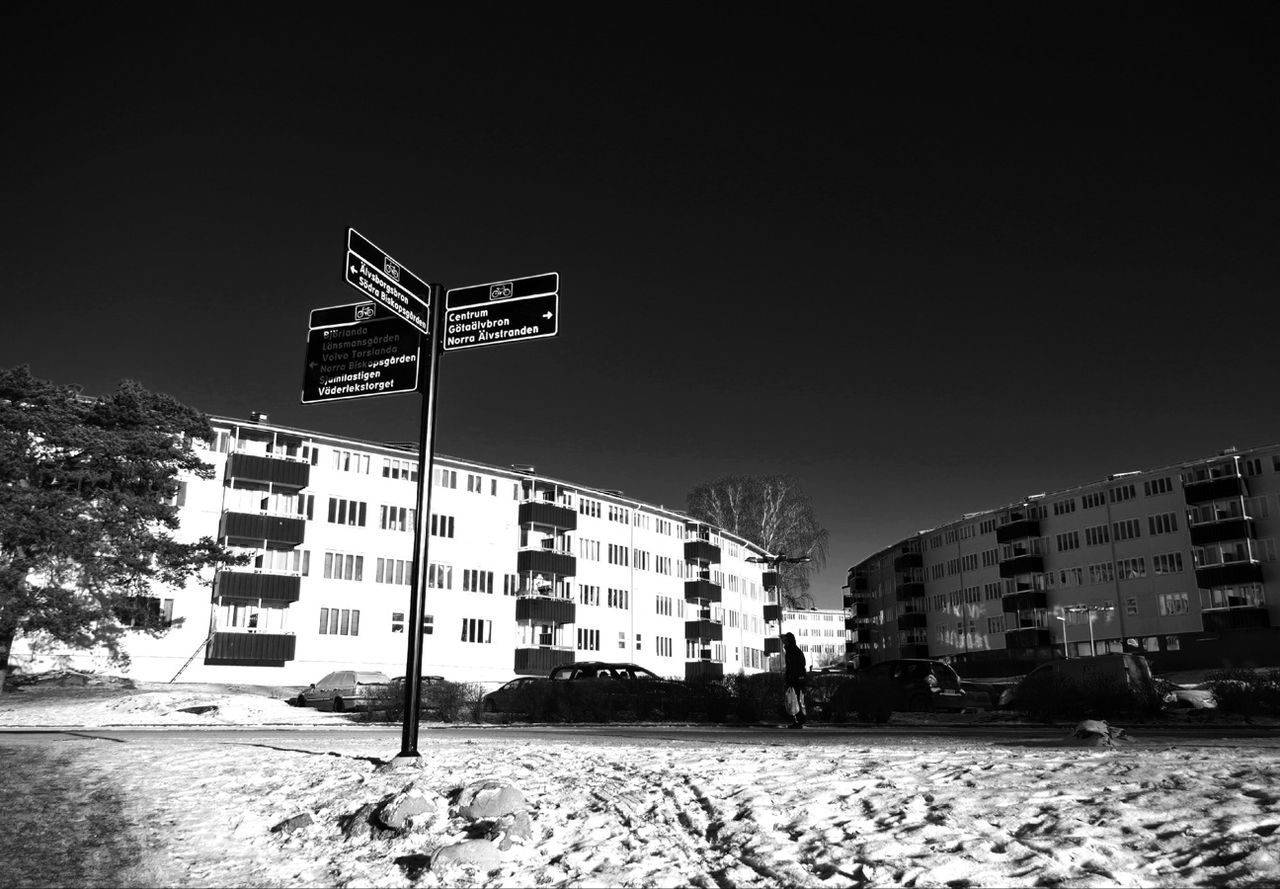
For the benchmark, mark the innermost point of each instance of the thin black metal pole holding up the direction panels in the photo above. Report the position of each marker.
(422, 533)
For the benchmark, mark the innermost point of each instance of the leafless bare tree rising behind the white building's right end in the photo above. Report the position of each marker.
(776, 515)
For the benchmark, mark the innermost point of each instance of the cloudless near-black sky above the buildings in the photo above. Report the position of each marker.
(927, 259)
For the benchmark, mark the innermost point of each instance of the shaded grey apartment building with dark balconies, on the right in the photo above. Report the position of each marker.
(1174, 563)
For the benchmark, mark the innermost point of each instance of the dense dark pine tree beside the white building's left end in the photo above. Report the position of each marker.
(88, 492)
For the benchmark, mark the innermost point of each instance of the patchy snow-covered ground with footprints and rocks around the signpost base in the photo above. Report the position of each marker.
(755, 813)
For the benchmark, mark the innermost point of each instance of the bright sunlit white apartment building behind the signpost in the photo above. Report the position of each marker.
(527, 572)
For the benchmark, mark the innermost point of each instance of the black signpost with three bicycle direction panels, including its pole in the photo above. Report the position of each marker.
(365, 350)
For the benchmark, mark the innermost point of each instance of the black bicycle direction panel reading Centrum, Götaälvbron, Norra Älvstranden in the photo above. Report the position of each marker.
(511, 311)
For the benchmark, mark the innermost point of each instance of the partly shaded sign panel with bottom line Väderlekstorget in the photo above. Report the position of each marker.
(359, 351)
